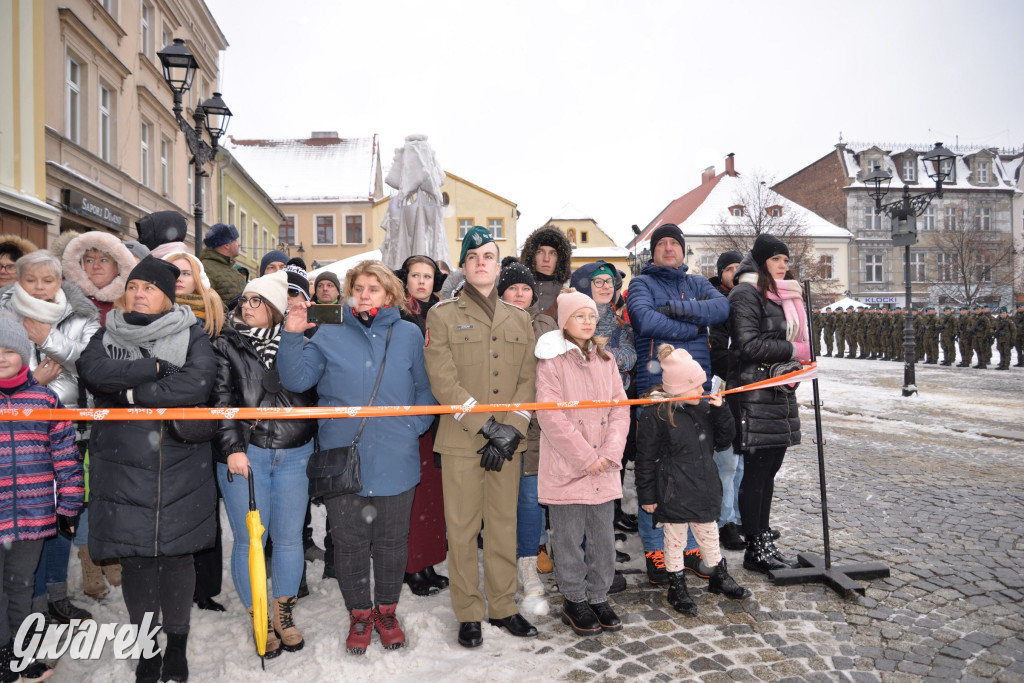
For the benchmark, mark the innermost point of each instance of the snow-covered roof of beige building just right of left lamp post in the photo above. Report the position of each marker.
(316, 169)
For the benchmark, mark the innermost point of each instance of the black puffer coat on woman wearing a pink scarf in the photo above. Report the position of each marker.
(765, 418)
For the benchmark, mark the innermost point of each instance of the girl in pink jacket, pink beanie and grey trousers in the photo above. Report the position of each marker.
(581, 456)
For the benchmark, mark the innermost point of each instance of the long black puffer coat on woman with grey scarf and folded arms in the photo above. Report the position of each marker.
(149, 494)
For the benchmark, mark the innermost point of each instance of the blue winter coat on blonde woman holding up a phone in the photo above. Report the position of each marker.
(343, 361)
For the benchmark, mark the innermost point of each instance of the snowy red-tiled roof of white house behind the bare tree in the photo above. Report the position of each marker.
(707, 215)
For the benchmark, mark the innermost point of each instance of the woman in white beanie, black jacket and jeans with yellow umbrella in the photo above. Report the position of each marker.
(277, 451)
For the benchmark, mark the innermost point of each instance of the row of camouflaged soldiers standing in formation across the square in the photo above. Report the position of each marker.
(878, 334)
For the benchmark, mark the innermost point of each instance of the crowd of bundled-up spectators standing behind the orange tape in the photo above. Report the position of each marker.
(100, 323)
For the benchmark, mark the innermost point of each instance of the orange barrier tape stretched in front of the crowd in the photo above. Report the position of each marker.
(136, 414)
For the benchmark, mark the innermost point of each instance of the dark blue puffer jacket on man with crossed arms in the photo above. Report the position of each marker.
(696, 306)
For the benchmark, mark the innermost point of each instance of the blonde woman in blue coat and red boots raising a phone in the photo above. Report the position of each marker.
(373, 358)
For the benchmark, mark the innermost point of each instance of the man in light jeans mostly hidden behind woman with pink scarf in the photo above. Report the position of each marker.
(731, 464)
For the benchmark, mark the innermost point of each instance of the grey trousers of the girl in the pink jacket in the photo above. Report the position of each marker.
(584, 575)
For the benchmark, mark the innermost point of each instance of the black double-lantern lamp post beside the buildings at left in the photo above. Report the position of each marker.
(214, 116)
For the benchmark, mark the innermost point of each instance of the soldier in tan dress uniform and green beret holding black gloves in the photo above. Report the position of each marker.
(481, 350)
